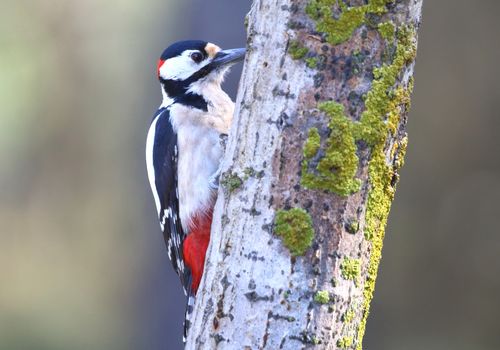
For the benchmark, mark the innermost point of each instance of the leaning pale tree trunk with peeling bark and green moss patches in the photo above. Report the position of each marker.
(309, 175)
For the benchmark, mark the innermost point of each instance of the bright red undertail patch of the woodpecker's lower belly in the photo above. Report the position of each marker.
(195, 247)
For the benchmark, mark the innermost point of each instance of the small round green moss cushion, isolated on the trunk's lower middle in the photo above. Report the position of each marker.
(295, 228)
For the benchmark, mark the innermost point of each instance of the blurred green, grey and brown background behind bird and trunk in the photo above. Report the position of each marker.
(82, 261)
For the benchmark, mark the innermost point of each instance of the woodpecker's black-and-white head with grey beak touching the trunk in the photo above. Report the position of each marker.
(188, 66)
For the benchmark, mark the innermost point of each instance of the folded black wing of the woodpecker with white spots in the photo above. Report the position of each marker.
(165, 168)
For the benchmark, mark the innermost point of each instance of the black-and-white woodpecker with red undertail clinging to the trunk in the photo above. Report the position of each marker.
(184, 150)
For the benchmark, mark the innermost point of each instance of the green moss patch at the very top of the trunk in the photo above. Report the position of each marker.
(340, 29)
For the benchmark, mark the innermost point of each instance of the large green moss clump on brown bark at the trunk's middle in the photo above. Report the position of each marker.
(336, 171)
